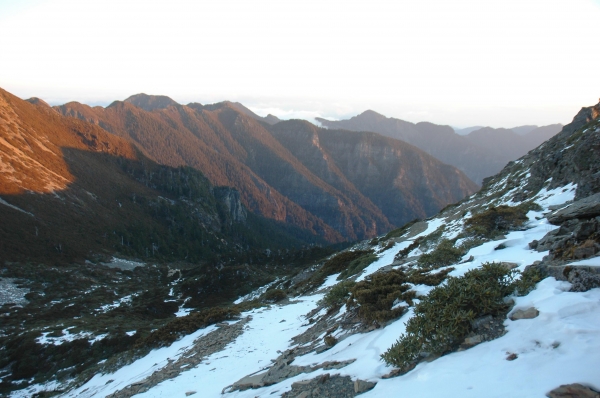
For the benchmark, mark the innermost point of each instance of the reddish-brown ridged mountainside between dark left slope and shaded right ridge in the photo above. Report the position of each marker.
(233, 149)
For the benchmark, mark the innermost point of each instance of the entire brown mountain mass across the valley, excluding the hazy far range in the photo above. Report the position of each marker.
(78, 179)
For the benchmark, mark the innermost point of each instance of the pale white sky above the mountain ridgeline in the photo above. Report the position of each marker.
(462, 62)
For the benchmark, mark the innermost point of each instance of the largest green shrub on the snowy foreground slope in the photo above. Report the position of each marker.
(443, 319)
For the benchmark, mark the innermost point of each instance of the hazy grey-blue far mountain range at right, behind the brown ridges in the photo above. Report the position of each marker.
(479, 153)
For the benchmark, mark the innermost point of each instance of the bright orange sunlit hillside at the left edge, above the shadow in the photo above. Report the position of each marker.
(30, 161)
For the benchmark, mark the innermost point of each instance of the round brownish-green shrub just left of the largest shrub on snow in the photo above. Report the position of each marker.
(375, 296)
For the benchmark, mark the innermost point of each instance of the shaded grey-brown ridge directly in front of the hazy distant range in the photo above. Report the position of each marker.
(396, 177)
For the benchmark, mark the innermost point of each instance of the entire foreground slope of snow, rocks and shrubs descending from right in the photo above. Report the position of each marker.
(345, 326)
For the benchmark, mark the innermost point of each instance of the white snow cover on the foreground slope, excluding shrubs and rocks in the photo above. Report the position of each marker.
(547, 347)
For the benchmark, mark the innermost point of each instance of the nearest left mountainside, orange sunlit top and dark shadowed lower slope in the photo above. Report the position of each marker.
(70, 190)
